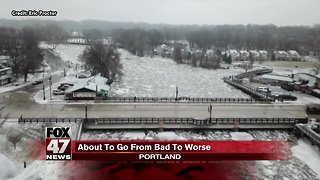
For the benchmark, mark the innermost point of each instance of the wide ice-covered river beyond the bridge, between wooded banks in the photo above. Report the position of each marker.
(158, 77)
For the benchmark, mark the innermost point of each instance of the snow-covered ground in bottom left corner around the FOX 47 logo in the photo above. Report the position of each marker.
(11, 159)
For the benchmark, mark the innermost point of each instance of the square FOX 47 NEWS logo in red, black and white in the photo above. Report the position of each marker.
(58, 143)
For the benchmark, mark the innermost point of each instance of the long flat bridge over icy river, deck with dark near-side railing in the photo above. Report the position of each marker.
(171, 116)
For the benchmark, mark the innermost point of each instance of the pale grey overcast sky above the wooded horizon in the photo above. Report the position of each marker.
(279, 12)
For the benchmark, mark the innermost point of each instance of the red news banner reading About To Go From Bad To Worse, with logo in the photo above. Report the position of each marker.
(60, 147)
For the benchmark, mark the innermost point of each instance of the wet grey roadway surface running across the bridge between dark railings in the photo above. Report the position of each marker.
(198, 111)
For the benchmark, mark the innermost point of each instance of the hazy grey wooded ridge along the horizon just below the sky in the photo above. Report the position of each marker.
(269, 37)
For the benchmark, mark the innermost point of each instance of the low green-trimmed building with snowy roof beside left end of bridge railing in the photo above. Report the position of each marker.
(94, 87)
